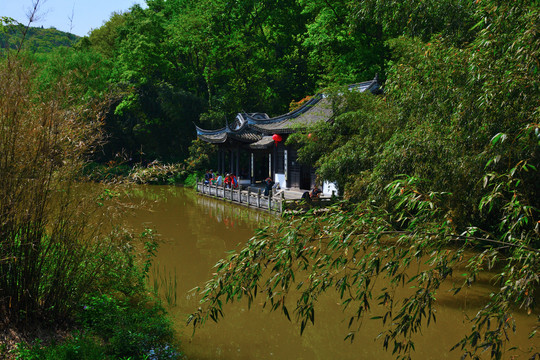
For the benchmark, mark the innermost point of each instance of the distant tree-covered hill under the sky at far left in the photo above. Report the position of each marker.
(37, 39)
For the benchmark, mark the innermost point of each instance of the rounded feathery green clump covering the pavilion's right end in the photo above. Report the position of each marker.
(346, 149)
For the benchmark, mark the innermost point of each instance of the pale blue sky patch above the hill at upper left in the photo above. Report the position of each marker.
(86, 14)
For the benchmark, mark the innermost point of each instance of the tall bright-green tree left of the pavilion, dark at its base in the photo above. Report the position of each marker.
(152, 116)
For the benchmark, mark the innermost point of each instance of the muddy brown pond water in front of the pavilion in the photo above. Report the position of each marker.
(197, 231)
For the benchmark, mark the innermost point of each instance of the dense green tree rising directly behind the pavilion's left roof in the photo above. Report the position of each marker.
(246, 52)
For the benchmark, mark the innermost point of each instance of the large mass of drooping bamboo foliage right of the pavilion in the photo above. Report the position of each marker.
(438, 117)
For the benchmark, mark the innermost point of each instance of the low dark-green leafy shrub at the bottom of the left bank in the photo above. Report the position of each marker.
(111, 329)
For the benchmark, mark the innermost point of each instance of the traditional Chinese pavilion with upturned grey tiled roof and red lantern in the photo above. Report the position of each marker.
(252, 147)
